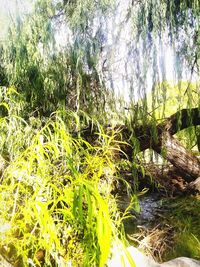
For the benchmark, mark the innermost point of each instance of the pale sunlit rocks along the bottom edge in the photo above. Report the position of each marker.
(121, 260)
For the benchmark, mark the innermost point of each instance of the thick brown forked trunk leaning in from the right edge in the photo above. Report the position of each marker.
(184, 162)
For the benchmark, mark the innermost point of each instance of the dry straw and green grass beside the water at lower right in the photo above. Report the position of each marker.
(175, 232)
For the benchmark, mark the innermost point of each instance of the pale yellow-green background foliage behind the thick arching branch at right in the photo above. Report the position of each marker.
(167, 99)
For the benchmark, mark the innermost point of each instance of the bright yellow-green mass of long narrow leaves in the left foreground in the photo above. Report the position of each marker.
(56, 203)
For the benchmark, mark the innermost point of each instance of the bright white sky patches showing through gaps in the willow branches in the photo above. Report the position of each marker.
(115, 50)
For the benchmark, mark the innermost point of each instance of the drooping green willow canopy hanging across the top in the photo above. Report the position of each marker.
(34, 62)
